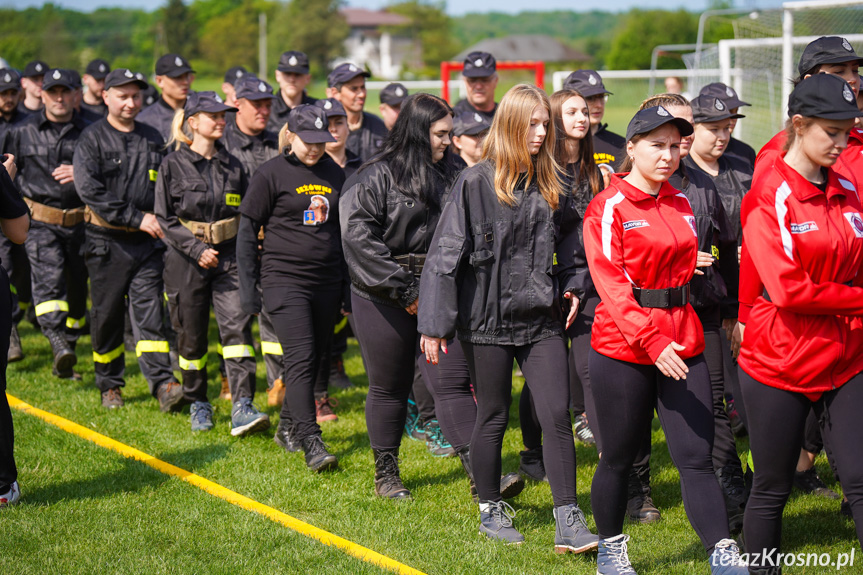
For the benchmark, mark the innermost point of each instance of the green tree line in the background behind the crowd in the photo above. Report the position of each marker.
(218, 34)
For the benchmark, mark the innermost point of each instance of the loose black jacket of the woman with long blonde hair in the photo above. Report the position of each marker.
(489, 276)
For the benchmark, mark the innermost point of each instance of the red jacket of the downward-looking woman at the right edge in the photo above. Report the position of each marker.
(804, 244)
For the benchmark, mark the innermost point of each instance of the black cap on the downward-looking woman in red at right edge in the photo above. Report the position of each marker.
(823, 96)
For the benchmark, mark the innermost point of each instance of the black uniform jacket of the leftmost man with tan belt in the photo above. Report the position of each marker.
(39, 149)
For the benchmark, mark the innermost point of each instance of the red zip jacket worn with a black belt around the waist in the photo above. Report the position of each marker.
(633, 239)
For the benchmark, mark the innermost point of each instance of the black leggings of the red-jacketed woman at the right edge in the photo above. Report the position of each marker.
(777, 419)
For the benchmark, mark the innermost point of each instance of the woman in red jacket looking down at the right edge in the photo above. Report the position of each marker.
(803, 229)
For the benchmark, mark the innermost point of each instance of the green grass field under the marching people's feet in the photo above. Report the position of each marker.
(88, 510)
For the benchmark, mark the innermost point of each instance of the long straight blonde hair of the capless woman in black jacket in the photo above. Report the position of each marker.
(506, 146)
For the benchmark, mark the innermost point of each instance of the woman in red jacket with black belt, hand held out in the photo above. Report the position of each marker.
(647, 341)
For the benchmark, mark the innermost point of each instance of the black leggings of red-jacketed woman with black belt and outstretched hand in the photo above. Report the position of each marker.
(626, 395)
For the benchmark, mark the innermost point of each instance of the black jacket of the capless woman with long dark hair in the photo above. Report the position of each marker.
(378, 223)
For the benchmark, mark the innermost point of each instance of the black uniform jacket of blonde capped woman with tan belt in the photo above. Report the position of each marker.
(195, 188)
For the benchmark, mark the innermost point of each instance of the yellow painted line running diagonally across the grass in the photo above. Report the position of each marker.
(217, 490)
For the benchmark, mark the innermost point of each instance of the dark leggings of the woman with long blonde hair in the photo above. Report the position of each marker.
(545, 371)
